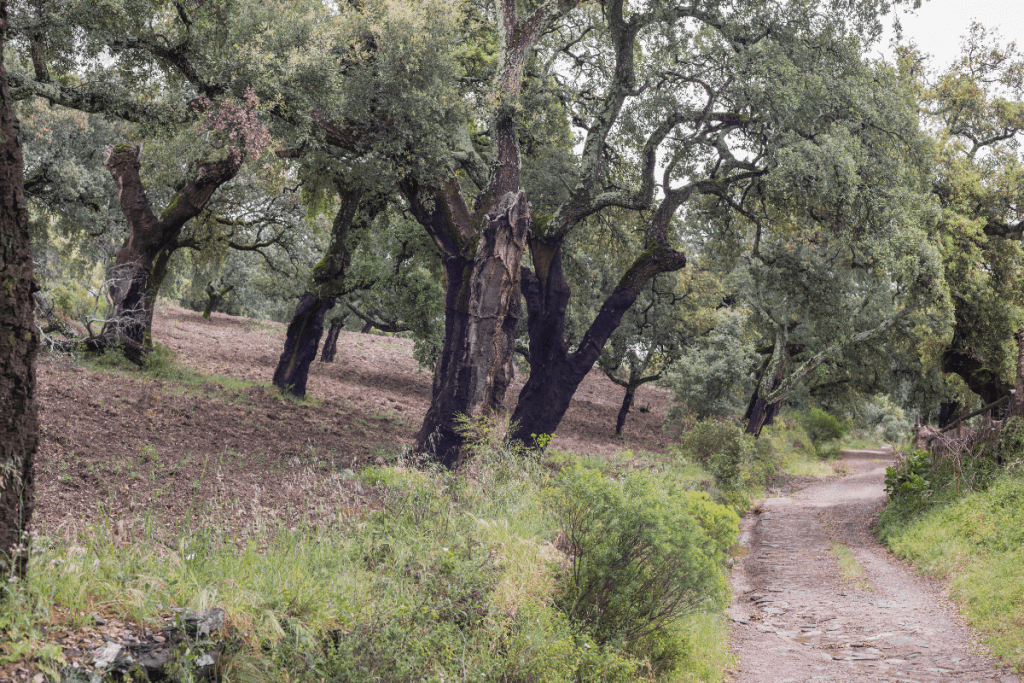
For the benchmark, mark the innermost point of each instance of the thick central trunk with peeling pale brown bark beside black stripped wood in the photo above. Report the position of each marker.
(482, 310)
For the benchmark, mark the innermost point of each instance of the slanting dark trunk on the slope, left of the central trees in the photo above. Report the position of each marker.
(358, 210)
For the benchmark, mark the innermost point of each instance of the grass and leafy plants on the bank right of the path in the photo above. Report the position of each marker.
(961, 518)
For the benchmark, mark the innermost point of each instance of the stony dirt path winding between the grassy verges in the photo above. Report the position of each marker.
(799, 619)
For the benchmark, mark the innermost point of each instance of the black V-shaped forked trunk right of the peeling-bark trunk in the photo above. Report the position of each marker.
(554, 373)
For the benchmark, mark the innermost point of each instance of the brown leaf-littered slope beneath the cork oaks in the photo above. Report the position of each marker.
(135, 453)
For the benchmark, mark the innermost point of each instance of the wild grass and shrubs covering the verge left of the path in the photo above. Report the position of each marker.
(496, 572)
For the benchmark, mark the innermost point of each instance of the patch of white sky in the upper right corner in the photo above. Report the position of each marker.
(938, 27)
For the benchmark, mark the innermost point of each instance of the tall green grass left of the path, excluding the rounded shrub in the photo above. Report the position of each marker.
(442, 577)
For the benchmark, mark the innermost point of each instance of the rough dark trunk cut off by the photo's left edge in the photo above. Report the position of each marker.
(19, 340)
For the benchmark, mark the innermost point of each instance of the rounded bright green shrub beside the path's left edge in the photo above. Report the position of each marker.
(642, 558)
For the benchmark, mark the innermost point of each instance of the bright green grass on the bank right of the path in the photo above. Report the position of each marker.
(976, 543)
